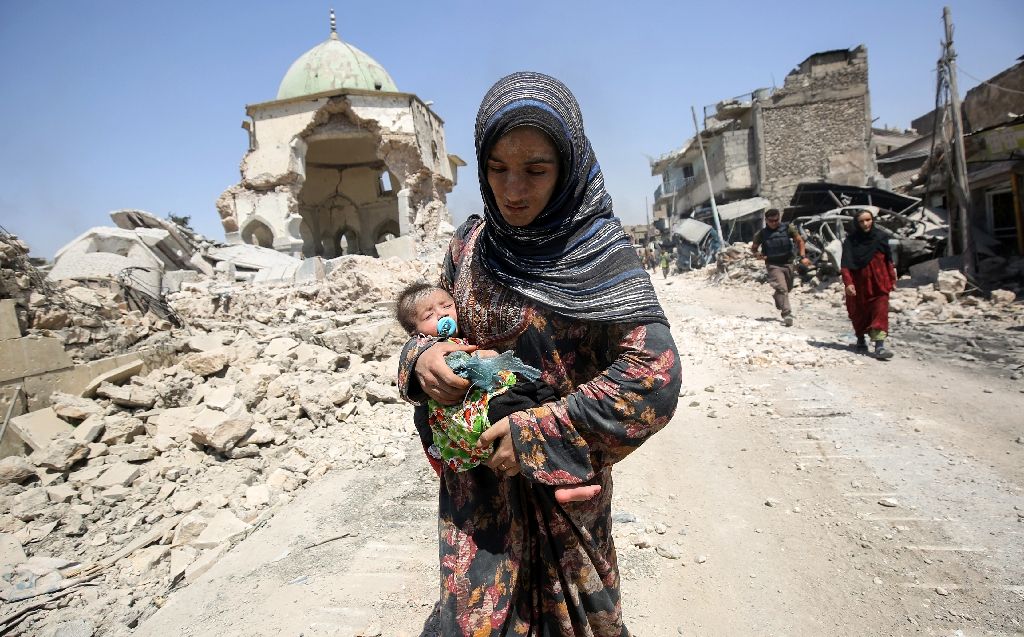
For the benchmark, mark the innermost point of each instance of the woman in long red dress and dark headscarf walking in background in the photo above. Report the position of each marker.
(870, 276)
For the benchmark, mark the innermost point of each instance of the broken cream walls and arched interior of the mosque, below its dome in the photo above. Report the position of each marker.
(408, 140)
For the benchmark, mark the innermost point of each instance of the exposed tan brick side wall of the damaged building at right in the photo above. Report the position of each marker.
(818, 126)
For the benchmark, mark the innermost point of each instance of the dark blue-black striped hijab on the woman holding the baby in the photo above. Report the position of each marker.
(574, 259)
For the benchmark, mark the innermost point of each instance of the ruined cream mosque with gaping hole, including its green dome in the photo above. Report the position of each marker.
(342, 162)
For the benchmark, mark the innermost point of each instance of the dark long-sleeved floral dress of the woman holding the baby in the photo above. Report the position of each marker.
(515, 562)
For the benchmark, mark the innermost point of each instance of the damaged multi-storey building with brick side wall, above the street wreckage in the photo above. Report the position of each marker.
(760, 147)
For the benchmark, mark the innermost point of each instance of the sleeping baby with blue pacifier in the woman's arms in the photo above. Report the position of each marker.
(454, 431)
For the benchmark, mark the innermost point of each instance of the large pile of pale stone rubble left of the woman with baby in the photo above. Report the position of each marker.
(141, 485)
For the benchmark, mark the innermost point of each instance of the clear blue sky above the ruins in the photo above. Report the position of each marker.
(120, 104)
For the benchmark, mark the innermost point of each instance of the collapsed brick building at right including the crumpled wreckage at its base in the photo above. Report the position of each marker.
(808, 149)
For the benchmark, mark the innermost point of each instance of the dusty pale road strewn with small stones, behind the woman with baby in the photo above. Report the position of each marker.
(801, 490)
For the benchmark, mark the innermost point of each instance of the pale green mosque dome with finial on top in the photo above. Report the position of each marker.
(331, 66)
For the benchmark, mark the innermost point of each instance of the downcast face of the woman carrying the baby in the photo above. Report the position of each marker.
(523, 173)
